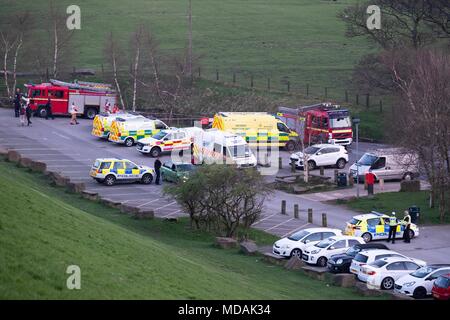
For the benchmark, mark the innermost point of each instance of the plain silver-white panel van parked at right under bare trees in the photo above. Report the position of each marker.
(387, 164)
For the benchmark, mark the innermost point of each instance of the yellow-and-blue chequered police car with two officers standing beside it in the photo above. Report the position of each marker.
(375, 226)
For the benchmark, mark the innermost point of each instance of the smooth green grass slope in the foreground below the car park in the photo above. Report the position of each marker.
(44, 229)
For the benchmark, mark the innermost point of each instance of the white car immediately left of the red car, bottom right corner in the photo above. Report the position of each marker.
(419, 283)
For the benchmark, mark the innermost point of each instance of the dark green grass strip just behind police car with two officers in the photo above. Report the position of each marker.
(398, 202)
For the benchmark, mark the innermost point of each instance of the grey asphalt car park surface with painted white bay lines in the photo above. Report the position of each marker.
(71, 150)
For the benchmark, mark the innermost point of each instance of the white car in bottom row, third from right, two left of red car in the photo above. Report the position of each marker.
(383, 273)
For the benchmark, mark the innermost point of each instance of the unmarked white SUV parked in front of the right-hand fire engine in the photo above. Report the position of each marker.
(319, 155)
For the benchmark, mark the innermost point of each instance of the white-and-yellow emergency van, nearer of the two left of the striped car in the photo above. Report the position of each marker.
(129, 131)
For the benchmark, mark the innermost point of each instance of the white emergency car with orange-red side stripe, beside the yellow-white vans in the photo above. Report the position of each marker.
(165, 141)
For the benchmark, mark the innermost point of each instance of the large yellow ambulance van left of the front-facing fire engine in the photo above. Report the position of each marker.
(257, 128)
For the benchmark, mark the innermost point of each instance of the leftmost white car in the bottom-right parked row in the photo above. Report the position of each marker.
(295, 243)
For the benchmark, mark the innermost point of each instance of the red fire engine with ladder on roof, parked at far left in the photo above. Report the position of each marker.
(90, 98)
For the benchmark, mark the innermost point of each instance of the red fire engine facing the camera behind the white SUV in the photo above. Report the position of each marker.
(319, 123)
